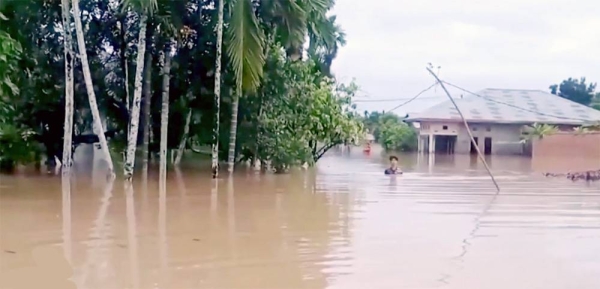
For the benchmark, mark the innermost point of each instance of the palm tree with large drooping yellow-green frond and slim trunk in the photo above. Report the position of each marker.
(289, 20)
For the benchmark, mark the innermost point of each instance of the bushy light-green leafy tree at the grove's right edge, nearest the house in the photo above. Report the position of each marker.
(304, 114)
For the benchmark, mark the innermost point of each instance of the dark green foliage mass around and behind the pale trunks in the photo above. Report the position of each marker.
(321, 113)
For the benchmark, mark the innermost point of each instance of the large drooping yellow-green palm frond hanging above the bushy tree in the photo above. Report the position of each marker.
(244, 45)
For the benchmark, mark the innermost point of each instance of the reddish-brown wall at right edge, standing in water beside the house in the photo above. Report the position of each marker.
(562, 152)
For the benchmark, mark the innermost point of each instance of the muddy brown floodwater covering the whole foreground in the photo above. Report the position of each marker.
(341, 225)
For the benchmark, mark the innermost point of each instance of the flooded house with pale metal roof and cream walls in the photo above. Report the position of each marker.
(496, 118)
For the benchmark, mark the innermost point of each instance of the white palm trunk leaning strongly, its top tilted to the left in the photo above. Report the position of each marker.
(98, 129)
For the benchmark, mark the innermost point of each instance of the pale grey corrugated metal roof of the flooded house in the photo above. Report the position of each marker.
(512, 106)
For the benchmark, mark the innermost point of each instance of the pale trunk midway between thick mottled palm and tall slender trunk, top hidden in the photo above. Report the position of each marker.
(164, 114)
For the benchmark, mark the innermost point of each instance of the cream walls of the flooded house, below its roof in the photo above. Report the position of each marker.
(505, 137)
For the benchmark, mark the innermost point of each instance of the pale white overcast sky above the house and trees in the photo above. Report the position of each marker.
(518, 44)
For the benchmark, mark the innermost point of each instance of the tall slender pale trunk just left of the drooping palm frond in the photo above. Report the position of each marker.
(215, 146)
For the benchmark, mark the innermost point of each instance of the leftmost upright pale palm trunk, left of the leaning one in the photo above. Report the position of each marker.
(68, 133)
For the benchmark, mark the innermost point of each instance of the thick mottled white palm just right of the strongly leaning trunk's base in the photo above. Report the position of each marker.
(145, 8)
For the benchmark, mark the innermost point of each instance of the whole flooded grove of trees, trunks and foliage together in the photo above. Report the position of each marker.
(167, 76)
